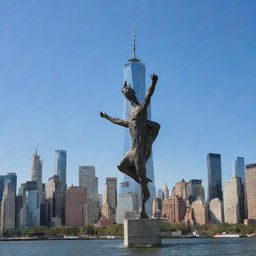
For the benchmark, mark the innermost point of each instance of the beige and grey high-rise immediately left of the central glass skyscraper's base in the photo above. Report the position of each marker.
(110, 199)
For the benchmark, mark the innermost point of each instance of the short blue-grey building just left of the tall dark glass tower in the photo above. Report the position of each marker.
(194, 190)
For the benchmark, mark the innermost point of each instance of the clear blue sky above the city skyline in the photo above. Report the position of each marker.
(62, 62)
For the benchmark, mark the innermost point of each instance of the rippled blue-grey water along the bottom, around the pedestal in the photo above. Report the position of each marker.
(171, 247)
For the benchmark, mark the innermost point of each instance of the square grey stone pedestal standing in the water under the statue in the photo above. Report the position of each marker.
(142, 232)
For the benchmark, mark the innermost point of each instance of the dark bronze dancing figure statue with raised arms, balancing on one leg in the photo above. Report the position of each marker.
(143, 133)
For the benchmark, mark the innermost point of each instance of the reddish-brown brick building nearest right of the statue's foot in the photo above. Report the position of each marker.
(174, 209)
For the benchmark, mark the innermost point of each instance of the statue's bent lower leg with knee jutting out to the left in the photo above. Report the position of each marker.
(127, 166)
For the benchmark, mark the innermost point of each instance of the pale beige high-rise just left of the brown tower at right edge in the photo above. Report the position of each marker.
(234, 201)
